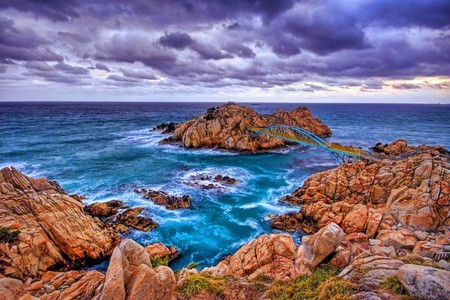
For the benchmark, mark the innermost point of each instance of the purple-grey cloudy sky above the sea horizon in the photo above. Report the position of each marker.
(393, 51)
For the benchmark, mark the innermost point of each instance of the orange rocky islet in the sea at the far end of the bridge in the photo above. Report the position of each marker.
(225, 127)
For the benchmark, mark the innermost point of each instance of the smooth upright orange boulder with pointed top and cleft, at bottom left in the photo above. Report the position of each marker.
(130, 276)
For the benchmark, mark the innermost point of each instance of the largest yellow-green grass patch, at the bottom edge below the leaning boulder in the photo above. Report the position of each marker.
(323, 284)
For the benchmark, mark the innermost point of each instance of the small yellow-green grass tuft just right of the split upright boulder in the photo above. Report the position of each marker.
(197, 283)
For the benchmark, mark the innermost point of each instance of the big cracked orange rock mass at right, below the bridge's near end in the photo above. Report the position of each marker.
(412, 192)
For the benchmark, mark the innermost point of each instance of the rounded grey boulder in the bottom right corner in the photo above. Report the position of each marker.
(425, 282)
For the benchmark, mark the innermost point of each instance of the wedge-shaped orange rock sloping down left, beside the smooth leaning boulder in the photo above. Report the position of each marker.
(269, 255)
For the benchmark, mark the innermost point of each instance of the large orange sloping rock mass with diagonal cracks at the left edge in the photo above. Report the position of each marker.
(54, 231)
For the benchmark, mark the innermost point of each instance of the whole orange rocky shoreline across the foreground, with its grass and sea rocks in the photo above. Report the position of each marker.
(374, 231)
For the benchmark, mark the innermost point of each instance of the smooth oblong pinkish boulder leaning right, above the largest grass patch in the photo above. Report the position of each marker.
(314, 249)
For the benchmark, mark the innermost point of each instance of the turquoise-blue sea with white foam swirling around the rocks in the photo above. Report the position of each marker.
(104, 150)
